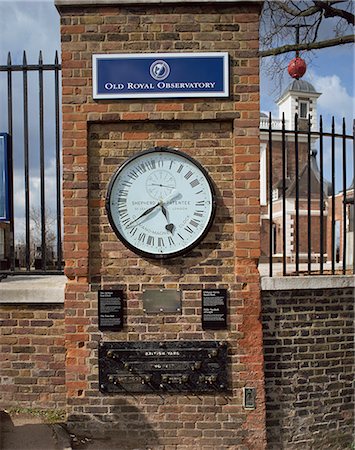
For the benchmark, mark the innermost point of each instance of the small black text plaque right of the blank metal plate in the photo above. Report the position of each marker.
(214, 309)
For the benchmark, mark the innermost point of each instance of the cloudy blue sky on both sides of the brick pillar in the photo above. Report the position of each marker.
(34, 25)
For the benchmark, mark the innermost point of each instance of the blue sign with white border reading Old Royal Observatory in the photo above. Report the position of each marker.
(160, 75)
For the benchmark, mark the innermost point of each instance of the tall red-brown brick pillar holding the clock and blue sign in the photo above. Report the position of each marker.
(223, 136)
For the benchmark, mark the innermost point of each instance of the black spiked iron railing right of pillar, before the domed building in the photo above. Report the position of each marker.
(307, 221)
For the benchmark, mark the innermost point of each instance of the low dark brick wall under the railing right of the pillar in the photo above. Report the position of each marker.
(309, 368)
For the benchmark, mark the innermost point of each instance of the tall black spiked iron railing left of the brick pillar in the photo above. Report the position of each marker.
(36, 247)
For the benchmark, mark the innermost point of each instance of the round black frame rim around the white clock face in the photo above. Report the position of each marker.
(152, 255)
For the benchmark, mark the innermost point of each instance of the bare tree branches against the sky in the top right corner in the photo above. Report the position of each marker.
(321, 24)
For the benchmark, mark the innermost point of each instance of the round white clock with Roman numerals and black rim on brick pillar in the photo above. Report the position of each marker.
(161, 203)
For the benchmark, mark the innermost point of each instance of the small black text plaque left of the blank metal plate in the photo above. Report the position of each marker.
(110, 310)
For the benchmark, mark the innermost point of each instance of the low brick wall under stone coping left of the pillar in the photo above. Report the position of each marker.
(32, 355)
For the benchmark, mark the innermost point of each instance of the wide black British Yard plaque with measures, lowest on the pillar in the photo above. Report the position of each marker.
(166, 366)
